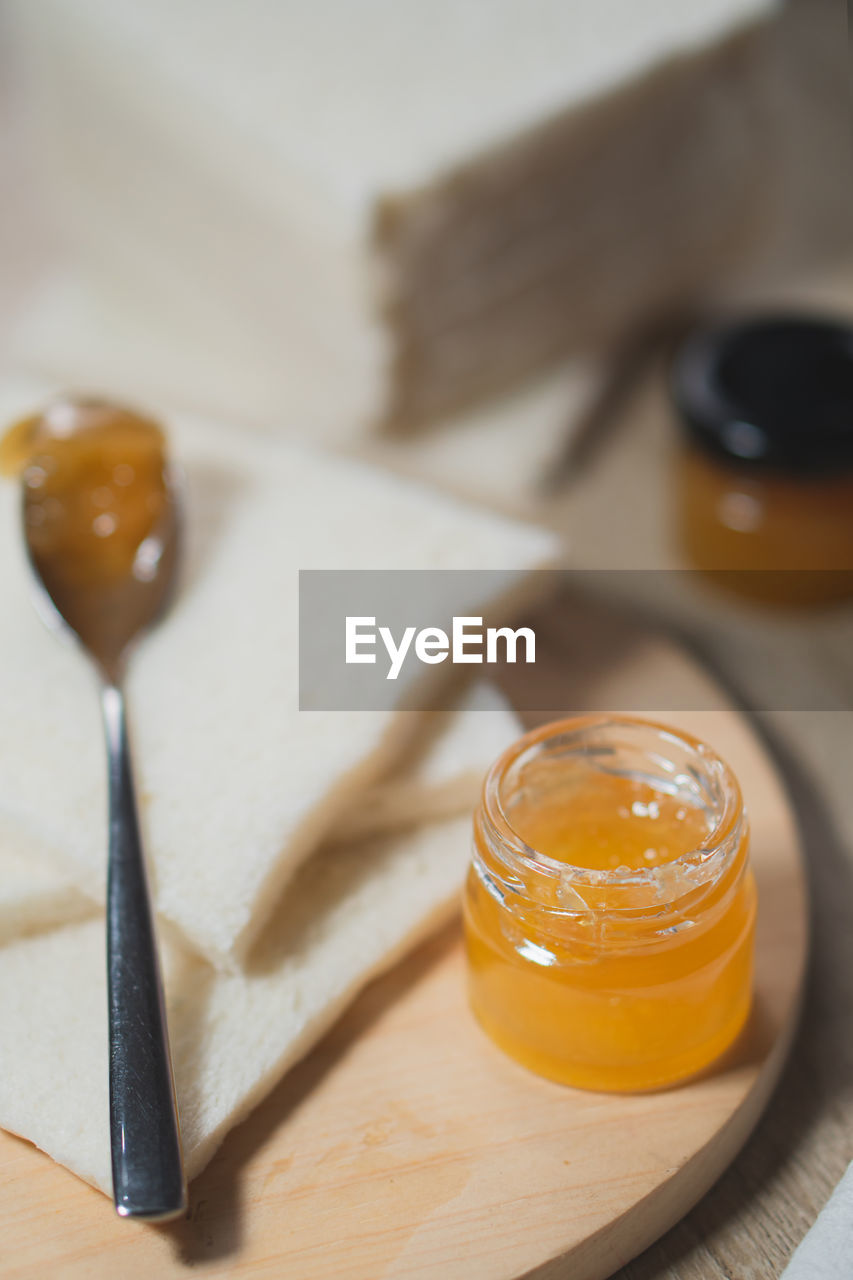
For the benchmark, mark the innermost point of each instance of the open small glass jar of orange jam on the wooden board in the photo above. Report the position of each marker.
(610, 907)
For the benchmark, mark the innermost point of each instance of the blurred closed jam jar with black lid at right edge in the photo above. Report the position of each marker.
(765, 487)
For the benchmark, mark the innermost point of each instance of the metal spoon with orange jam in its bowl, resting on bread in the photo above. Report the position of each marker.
(107, 611)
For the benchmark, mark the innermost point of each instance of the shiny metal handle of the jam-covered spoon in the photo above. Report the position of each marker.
(148, 1169)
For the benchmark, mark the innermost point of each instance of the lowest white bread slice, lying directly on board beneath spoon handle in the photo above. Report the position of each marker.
(350, 913)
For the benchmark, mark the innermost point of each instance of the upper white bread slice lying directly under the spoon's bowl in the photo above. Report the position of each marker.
(238, 785)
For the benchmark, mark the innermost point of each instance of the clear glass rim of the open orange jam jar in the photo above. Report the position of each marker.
(705, 863)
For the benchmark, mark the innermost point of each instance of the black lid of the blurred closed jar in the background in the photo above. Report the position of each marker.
(770, 392)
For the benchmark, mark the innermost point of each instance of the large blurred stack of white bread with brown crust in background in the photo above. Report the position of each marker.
(386, 212)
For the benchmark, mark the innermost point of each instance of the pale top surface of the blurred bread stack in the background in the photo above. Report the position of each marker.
(366, 76)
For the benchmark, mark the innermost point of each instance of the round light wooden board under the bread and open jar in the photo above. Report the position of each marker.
(407, 1146)
